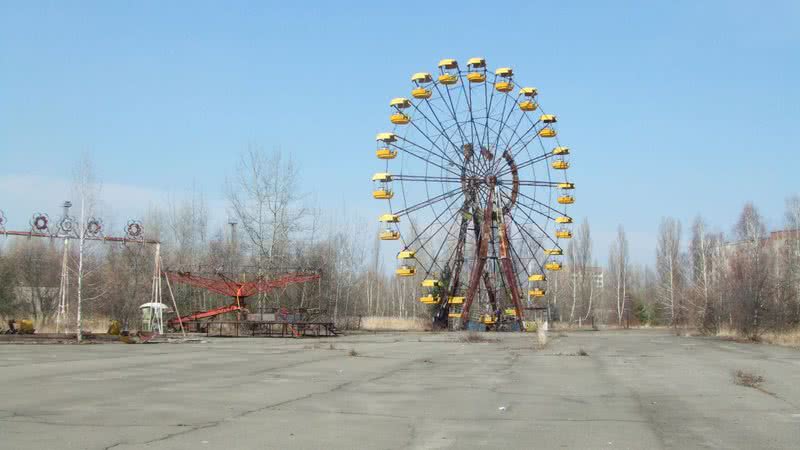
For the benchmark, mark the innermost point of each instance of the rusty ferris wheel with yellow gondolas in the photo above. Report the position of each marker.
(476, 190)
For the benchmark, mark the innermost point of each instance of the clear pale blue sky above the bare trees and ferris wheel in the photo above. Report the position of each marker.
(676, 109)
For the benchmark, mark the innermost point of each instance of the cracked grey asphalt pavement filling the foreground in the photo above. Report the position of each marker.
(634, 389)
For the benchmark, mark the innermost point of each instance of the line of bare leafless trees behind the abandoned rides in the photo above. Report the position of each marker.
(747, 279)
